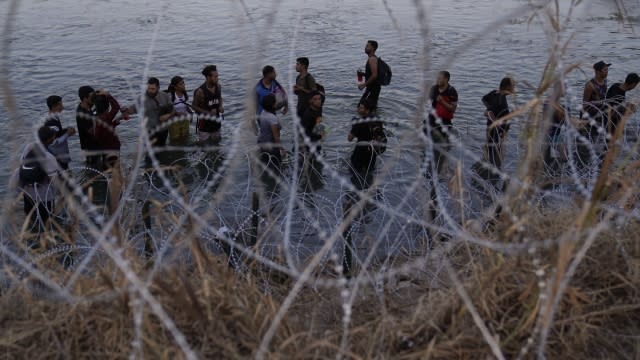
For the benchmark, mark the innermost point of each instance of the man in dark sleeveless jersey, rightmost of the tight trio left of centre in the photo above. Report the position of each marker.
(208, 104)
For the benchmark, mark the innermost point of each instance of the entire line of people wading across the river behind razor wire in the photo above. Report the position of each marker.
(168, 115)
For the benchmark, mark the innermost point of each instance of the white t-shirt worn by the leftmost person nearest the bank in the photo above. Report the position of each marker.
(42, 192)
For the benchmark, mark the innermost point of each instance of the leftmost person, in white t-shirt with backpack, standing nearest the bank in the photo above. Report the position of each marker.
(34, 179)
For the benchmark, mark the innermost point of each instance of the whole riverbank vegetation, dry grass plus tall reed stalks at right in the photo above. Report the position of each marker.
(527, 281)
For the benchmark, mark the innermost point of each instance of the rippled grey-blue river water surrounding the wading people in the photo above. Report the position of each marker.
(58, 45)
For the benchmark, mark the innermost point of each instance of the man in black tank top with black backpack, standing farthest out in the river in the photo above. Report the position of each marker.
(377, 73)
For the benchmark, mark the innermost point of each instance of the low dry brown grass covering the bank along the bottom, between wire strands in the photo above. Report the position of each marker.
(223, 315)
